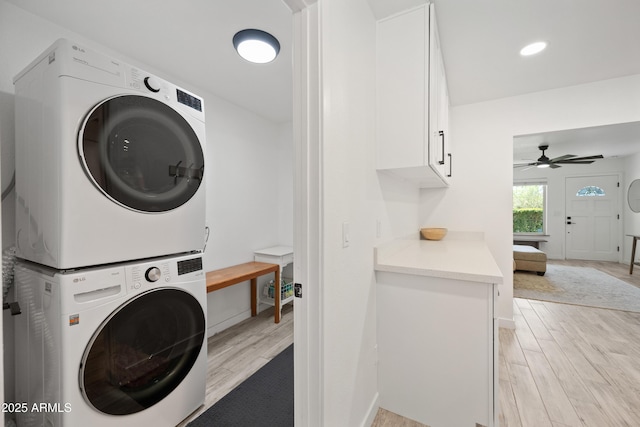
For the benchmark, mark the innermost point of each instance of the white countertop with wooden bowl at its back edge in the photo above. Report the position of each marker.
(450, 258)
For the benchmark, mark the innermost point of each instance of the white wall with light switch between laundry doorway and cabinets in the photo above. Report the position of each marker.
(352, 193)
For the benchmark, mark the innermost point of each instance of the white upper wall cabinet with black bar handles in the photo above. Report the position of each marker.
(412, 100)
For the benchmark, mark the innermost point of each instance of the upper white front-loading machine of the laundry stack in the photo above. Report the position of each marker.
(105, 153)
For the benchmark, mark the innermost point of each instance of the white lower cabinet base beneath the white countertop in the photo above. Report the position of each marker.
(437, 349)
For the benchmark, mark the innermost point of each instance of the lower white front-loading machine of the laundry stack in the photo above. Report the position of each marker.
(122, 345)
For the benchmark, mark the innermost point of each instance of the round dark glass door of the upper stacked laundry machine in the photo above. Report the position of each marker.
(141, 153)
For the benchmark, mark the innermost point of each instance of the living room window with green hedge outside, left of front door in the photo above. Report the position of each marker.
(529, 201)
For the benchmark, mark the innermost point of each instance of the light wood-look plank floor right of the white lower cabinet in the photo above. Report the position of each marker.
(568, 365)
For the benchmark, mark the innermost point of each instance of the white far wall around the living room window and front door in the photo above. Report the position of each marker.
(555, 178)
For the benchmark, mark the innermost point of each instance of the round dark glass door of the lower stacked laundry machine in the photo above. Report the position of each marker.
(142, 352)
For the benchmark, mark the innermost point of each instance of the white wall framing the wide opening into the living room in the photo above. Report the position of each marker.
(480, 196)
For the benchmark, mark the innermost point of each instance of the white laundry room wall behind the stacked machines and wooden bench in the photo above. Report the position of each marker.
(249, 171)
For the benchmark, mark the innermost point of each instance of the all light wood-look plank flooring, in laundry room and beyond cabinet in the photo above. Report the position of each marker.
(563, 365)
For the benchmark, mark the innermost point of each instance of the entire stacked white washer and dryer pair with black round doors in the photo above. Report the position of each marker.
(110, 225)
